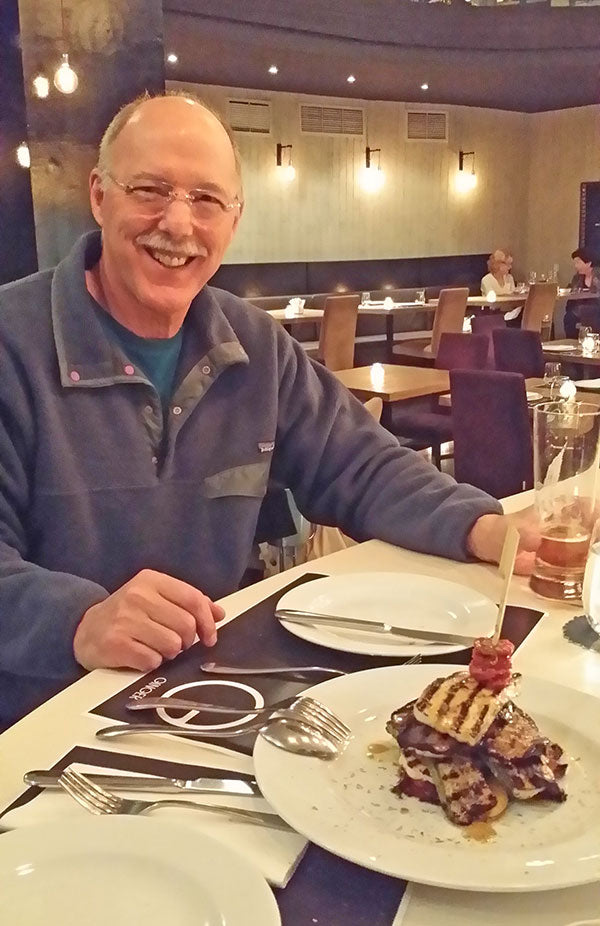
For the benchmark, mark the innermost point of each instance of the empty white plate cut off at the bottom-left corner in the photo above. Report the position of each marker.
(121, 871)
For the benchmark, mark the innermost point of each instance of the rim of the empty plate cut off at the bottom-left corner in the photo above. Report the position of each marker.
(148, 838)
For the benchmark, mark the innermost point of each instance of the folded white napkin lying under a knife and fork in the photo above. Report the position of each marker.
(274, 852)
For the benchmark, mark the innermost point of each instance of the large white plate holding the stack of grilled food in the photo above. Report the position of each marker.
(347, 807)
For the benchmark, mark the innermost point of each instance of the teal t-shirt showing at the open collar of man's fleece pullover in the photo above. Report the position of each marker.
(157, 357)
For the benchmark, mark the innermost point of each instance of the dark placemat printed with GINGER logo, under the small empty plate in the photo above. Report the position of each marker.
(257, 638)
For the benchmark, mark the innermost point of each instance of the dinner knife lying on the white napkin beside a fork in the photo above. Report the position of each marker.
(239, 786)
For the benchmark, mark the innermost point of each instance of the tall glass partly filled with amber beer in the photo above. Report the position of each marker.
(566, 443)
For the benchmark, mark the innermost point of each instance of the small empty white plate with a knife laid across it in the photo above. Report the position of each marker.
(398, 598)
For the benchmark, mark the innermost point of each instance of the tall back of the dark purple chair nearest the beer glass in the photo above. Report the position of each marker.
(492, 432)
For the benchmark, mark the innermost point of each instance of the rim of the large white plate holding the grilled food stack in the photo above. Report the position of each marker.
(265, 752)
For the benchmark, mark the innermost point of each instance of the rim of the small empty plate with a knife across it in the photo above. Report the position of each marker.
(322, 637)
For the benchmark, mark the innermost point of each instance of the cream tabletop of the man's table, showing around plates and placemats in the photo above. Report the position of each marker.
(43, 736)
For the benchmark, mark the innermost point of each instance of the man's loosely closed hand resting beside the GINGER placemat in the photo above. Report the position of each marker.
(151, 618)
